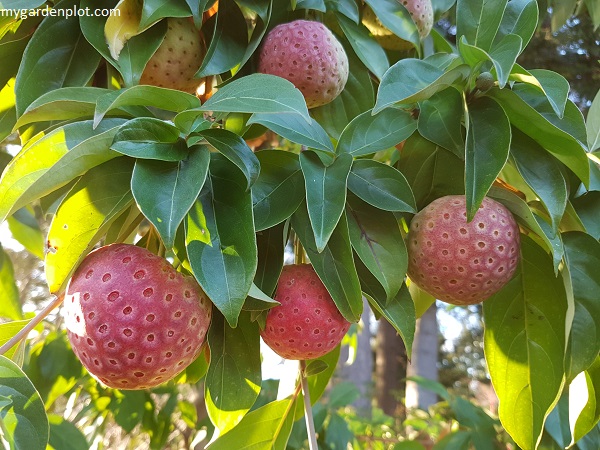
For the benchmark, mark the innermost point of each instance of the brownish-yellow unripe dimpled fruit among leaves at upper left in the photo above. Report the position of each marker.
(177, 59)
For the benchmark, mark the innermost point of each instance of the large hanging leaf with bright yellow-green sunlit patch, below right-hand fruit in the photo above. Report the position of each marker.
(525, 344)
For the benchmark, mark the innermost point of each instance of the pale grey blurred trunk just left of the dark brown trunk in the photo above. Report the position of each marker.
(360, 372)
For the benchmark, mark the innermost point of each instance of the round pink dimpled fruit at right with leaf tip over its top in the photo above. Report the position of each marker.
(458, 262)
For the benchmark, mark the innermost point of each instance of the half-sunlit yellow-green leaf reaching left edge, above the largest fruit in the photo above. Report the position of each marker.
(53, 160)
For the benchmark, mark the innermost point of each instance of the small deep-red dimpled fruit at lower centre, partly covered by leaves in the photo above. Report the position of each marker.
(307, 324)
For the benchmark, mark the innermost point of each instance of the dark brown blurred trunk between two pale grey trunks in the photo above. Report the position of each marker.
(390, 369)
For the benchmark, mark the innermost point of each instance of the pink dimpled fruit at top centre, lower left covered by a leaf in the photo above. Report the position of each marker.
(309, 55)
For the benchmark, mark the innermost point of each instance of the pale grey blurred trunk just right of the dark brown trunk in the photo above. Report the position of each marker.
(424, 361)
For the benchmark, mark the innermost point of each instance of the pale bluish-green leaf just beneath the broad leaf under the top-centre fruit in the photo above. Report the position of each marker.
(295, 128)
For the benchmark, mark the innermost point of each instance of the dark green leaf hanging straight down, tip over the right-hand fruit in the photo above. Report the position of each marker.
(488, 145)
